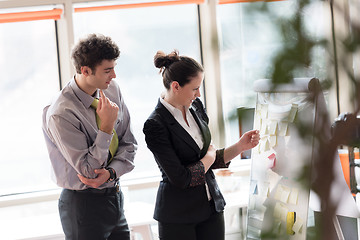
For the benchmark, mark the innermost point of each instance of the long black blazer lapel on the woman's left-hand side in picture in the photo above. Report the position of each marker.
(175, 127)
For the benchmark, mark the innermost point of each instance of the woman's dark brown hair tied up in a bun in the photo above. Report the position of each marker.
(176, 68)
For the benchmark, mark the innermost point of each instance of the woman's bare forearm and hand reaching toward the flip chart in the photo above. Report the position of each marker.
(247, 141)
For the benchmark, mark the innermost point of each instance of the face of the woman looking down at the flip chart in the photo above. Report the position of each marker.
(190, 91)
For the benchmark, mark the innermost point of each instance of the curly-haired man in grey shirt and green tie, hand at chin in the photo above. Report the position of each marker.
(81, 142)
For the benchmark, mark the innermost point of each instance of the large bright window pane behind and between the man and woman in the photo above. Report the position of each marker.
(159, 28)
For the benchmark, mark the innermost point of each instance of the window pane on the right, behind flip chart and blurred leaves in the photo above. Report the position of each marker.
(248, 41)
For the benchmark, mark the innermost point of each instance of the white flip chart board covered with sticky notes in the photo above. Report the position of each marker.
(278, 201)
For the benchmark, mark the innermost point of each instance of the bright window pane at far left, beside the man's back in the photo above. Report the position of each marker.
(29, 69)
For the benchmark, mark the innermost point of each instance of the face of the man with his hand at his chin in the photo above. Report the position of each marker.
(102, 75)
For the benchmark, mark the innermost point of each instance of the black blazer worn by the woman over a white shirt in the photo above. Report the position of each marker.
(181, 196)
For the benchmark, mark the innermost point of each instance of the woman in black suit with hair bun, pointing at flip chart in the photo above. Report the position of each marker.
(189, 204)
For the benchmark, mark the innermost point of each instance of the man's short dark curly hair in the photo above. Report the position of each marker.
(92, 50)
